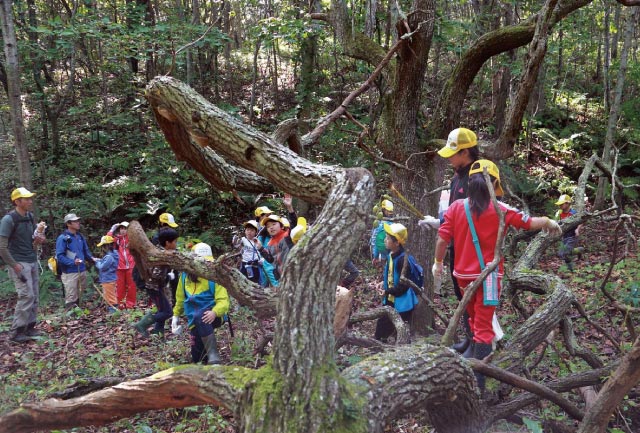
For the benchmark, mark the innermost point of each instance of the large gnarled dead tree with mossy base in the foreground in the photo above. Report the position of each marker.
(301, 389)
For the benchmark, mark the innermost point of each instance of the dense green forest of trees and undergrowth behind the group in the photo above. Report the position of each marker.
(93, 147)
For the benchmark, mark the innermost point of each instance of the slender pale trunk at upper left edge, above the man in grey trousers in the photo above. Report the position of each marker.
(14, 93)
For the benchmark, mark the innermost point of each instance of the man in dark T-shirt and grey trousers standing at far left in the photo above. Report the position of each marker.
(18, 235)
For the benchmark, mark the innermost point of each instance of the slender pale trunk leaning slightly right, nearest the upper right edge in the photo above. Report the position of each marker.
(614, 113)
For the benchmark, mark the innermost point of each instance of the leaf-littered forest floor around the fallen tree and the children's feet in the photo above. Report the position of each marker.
(89, 344)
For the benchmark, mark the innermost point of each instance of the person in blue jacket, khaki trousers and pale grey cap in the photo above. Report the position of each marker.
(72, 253)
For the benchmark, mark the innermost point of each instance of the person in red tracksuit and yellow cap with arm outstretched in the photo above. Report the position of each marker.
(466, 267)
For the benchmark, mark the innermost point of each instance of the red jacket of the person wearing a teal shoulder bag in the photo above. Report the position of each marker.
(455, 227)
